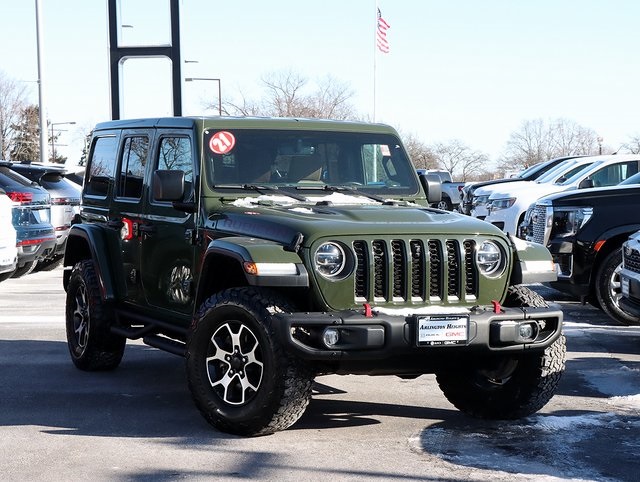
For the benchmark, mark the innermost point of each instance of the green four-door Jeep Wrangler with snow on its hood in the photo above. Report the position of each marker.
(269, 251)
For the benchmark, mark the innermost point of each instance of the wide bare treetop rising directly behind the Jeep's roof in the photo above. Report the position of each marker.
(286, 96)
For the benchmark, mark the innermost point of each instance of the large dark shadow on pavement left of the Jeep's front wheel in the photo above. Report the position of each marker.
(147, 396)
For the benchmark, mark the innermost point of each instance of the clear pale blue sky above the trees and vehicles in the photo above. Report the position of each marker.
(472, 70)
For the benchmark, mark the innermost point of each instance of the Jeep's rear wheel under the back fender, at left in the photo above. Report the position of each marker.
(88, 319)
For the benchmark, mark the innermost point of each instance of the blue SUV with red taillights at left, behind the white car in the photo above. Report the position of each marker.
(31, 214)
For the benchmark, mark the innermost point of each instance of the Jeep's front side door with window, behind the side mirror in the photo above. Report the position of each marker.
(167, 234)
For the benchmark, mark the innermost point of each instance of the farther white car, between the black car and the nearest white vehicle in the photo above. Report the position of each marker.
(564, 170)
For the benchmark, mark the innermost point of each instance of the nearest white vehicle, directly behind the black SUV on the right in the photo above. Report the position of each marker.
(506, 209)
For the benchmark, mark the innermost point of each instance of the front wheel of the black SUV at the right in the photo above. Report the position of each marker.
(608, 289)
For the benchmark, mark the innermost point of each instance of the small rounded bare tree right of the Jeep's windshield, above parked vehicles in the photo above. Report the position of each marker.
(458, 158)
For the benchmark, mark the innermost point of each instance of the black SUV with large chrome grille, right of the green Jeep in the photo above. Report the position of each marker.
(585, 230)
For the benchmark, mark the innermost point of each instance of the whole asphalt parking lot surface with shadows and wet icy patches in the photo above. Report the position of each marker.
(139, 423)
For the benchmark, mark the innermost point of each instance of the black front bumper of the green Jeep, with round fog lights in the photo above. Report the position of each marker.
(380, 336)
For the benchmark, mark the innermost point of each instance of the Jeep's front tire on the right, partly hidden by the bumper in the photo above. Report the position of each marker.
(510, 386)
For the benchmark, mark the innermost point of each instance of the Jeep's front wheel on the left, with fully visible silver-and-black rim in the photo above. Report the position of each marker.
(241, 379)
